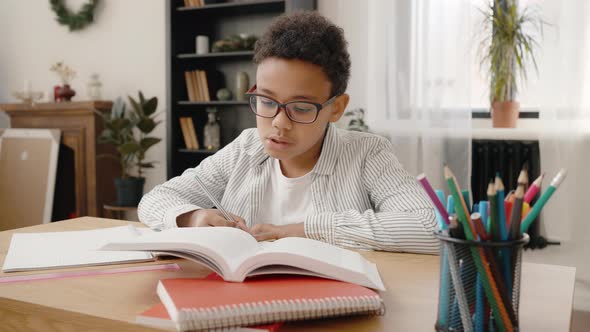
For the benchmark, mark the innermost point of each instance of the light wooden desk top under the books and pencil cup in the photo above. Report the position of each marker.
(111, 302)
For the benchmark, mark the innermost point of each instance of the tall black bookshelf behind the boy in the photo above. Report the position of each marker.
(217, 20)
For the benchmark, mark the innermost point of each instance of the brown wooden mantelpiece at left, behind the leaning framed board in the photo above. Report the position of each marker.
(81, 176)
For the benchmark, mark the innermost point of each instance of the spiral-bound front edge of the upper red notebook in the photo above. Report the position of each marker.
(274, 311)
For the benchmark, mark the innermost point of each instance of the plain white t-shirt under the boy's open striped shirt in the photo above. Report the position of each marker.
(286, 200)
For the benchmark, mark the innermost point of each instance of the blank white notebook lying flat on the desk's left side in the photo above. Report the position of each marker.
(32, 251)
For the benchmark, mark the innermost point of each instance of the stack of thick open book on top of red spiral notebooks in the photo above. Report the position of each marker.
(288, 279)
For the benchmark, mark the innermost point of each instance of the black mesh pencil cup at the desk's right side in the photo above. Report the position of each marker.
(479, 284)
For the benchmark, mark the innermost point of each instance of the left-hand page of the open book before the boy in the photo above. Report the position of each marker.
(220, 248)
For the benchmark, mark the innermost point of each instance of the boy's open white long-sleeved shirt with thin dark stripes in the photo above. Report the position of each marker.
(361, 196)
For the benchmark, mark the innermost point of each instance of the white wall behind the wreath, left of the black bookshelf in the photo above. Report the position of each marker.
(125, 45)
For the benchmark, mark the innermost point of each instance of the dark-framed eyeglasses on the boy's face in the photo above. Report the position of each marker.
(297, 111)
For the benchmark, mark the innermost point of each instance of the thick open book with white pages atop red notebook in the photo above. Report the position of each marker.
(234, 254)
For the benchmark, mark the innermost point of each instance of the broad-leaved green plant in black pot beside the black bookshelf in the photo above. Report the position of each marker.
(128, 131)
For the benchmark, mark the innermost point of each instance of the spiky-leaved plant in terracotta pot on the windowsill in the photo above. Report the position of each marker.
(509, 45)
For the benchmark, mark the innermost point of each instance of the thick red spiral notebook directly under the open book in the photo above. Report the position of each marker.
(195, 304)
